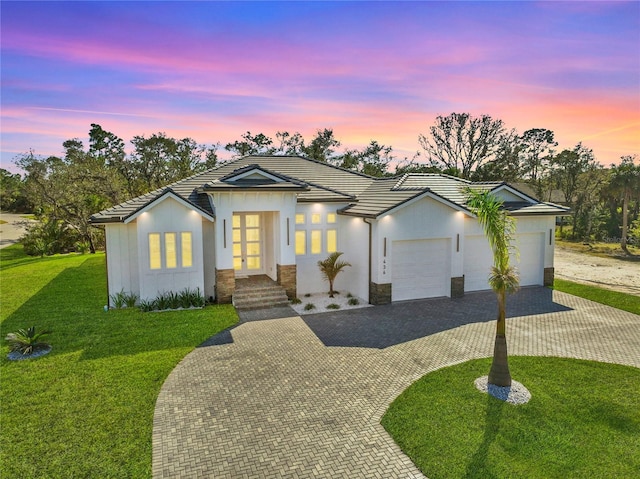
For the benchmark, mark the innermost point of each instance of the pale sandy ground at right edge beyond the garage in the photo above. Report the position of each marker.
(610, 273)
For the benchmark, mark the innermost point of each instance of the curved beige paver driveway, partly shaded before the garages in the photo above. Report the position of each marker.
(272, 400)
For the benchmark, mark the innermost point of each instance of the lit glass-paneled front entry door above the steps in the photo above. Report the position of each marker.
(247, 244)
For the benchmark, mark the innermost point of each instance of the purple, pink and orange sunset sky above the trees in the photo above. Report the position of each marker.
(369, 70)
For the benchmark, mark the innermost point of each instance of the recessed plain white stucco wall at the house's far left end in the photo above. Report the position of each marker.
(122, 258)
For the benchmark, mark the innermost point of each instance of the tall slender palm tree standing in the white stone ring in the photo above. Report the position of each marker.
(499, 228)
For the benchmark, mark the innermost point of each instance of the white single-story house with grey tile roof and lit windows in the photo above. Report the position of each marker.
(406, 237)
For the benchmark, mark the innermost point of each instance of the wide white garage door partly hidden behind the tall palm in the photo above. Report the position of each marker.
(478, 259)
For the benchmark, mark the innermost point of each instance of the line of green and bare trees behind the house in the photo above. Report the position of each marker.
(65, 191)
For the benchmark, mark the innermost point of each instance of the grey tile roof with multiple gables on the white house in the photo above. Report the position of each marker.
(321, 182)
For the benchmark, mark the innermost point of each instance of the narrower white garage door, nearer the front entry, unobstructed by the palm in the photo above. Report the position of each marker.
(420, 269)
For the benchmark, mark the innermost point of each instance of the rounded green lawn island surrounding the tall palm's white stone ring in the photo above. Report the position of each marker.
(583, 421)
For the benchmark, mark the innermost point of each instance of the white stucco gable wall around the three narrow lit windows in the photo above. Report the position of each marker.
(168, 215)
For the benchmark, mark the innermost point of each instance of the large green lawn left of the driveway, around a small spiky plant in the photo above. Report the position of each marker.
(85, 409)
